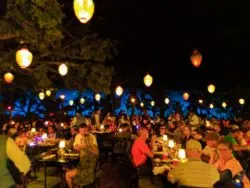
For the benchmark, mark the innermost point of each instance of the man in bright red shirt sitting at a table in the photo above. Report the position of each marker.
(140, 150)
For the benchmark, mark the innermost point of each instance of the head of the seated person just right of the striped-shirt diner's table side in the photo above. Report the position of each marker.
(225, 149)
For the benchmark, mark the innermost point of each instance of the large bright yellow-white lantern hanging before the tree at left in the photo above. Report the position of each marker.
(24, 57)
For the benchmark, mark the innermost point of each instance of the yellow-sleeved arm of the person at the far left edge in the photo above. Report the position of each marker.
(19, 158)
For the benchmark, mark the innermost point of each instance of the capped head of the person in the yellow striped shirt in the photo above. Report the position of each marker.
(193, 149)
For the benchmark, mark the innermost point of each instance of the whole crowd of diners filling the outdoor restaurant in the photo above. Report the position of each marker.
(212, 146)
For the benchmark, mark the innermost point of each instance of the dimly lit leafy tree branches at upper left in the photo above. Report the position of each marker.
(54, 38)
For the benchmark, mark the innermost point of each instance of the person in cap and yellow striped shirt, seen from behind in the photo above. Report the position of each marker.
(194, 172)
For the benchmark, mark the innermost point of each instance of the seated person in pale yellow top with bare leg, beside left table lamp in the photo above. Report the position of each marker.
(86, 144)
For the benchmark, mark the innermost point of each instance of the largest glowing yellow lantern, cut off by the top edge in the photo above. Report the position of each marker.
(84, 10)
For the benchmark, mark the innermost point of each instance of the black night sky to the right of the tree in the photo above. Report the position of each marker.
(159, 36)
